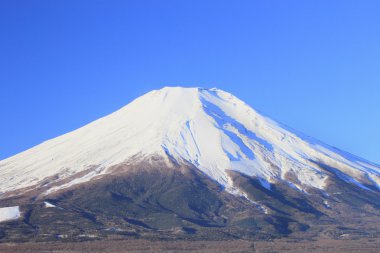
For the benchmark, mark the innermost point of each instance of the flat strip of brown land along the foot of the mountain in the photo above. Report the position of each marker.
(115, 246)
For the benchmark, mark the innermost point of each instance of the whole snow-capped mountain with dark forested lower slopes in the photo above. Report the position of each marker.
(187, 162)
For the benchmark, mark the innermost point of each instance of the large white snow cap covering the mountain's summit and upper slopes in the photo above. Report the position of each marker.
(209, 128)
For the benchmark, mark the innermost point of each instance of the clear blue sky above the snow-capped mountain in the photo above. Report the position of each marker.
(313, 65)
